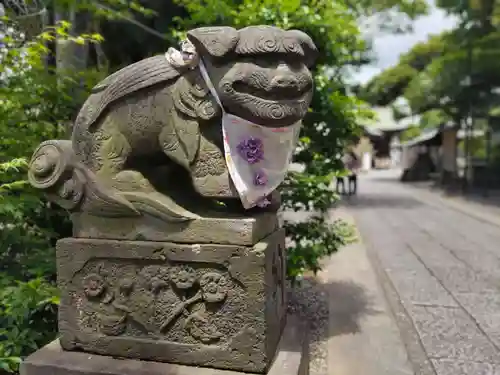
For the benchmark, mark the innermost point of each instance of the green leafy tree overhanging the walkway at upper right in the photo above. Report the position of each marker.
(450, 74)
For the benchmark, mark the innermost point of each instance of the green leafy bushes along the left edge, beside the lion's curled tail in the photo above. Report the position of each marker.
(34, 107)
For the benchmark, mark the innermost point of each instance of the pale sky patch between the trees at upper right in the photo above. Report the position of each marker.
(388, 48)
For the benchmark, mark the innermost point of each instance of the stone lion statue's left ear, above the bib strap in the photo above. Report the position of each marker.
(214, 41)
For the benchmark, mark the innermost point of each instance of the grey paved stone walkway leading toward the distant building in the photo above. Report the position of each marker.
(440, 268)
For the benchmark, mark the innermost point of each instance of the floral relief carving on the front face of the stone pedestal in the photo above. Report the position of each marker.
(171, 302)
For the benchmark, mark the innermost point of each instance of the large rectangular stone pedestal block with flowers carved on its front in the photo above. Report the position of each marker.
(211, 305)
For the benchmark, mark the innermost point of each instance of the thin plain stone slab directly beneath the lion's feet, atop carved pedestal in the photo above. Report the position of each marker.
(237, 230)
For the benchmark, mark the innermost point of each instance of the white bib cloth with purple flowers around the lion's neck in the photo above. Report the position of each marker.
(257, 157)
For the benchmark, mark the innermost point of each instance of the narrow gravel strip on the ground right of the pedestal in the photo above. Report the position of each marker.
(309, 301)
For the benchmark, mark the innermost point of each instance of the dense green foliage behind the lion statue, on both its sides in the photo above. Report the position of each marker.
(38, 101)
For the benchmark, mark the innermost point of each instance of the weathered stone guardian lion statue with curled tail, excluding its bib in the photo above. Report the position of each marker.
(148, 138)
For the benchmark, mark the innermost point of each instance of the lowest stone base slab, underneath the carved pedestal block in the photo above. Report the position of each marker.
(292, 359)
